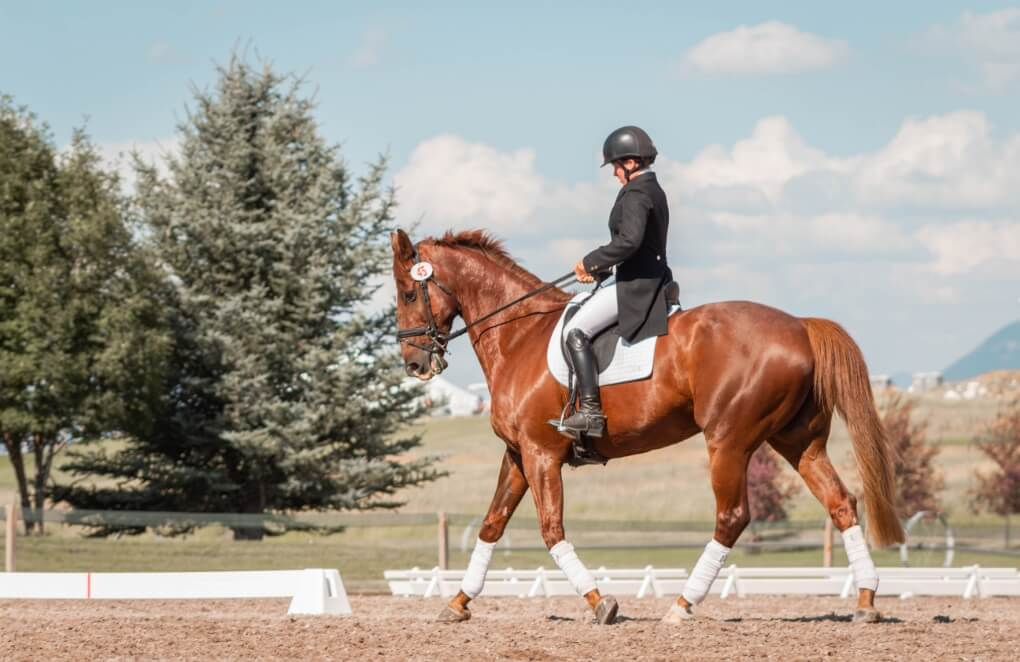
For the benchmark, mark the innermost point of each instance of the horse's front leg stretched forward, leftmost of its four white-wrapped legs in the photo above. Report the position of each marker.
(509, 491)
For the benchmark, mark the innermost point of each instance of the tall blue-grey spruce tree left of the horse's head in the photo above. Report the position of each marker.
(286, 394)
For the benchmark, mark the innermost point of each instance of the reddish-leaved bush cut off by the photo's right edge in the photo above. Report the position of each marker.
(999, 490)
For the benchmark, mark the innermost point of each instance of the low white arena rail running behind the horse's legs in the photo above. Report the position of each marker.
(966, 582)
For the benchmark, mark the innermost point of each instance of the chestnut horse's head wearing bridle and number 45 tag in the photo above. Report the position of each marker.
(426, 310)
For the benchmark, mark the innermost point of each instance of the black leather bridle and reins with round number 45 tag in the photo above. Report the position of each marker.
(438, 340)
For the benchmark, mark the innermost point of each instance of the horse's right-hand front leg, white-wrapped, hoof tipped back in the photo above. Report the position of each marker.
(544, 473)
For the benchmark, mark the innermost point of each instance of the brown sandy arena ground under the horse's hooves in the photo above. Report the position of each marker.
(509, 629)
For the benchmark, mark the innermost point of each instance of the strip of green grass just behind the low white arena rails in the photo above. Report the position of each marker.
(363, 561)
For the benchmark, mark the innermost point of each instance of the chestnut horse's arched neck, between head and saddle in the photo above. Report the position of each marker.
(482, 286)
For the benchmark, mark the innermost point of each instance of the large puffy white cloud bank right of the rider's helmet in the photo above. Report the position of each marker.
(943, 163)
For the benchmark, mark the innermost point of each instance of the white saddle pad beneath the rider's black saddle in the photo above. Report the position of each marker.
(619, 361)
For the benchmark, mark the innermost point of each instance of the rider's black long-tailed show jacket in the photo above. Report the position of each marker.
(639, 224)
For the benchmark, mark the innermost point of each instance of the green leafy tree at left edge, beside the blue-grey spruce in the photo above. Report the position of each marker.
(81, 342)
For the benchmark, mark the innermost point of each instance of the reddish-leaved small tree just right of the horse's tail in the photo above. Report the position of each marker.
(917, 482)
